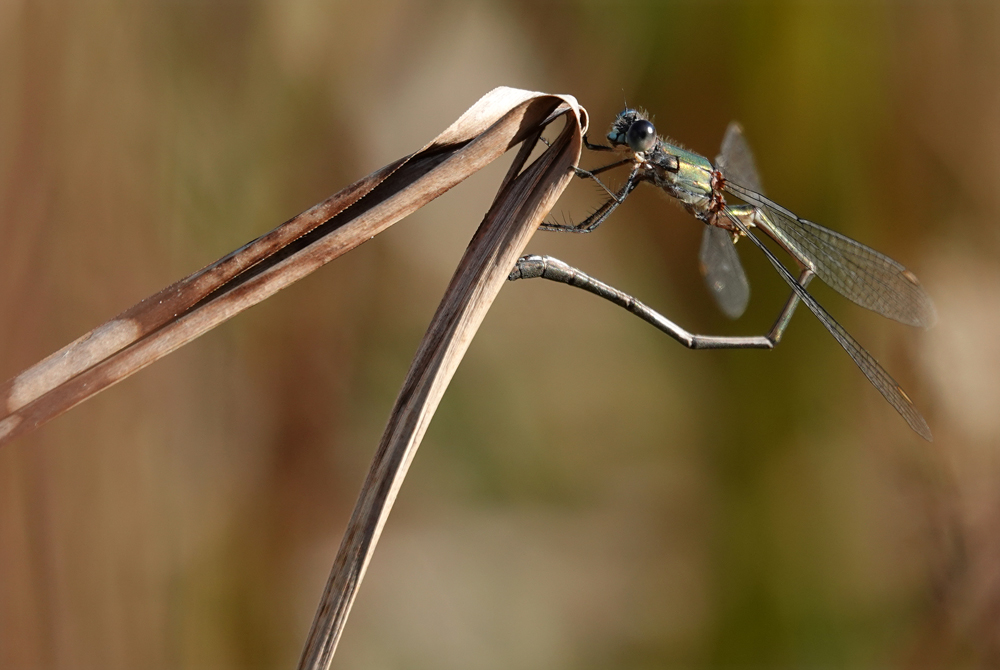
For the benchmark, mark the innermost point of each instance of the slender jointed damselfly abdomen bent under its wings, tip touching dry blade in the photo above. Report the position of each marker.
(547, 267)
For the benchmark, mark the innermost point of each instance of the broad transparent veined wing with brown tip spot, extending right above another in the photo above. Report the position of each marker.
(857, 272)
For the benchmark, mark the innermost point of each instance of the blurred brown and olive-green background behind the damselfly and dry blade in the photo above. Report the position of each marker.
(590, 494)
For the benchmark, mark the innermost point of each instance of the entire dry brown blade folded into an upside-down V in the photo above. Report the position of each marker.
(181, 312)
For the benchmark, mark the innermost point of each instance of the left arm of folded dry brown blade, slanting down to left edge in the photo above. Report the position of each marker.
(169, 319)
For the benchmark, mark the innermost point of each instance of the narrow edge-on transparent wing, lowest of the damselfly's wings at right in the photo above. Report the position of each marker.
(875, 373)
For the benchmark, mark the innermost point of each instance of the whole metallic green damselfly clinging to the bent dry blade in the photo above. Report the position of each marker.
(856, 271)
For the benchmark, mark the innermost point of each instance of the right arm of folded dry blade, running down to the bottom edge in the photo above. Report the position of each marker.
(517, 211)
